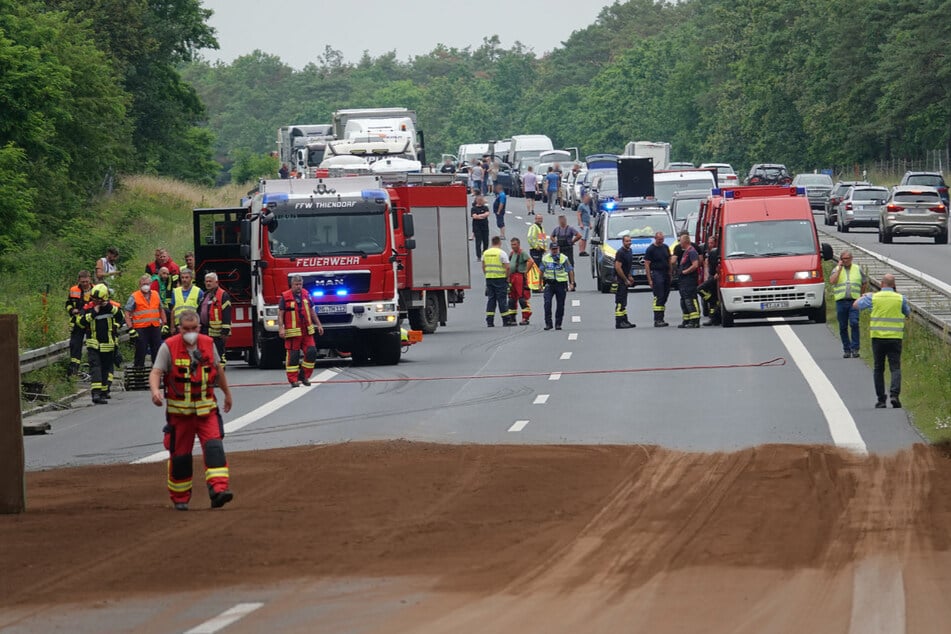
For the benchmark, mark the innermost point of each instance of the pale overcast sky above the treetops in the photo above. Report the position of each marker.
(297, 32)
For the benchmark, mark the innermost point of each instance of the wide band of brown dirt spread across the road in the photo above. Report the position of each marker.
(479, 520)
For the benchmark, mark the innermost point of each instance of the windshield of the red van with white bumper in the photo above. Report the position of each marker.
(769, 238)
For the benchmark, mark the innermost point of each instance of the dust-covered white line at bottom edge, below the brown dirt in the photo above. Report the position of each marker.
(878, 597)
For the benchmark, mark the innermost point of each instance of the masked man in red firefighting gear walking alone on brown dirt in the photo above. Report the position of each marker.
(191, 367)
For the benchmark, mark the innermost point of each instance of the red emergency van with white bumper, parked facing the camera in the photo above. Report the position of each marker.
(771, 259)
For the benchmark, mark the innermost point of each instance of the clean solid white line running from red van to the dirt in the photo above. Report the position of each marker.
(841, 424)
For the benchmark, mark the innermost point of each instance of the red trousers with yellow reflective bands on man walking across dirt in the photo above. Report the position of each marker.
(180, 435)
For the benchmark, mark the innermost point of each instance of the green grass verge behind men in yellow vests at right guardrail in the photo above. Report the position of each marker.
(925, 370)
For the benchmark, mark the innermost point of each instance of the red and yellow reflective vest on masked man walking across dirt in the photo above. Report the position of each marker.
(190, 385)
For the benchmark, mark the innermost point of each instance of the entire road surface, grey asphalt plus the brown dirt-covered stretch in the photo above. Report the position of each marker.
(779, 498)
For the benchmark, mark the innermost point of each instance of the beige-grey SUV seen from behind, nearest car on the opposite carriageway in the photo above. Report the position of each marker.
(914, 211)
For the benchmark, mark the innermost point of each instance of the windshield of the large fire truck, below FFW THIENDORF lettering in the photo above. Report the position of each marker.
(361, 229)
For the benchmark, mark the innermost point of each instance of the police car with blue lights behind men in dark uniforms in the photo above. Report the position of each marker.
(638, 219)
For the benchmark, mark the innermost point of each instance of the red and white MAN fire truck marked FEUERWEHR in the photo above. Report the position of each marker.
(372, 254)
